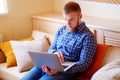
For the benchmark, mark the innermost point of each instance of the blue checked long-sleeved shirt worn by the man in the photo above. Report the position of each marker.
(79, 46)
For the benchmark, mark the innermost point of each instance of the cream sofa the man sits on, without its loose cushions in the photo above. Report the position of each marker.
(12, 73)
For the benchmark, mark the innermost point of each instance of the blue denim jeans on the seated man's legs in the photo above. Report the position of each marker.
(37, 74)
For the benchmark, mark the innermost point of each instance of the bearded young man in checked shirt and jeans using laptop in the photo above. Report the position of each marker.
(73, 42)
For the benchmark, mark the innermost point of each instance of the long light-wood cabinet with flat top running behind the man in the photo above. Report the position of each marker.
(107, 31)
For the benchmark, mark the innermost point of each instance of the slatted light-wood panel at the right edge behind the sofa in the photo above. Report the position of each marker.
(112, 38)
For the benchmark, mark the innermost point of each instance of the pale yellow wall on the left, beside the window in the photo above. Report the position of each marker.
(17, 24)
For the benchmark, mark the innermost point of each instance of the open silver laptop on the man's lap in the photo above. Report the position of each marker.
(50, 60)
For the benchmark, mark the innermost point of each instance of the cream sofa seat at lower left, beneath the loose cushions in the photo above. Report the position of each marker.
(10, 73)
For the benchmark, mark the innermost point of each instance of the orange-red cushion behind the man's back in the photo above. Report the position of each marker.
(98, 59)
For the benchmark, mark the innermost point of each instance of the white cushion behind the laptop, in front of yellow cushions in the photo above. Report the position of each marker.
(21, 49)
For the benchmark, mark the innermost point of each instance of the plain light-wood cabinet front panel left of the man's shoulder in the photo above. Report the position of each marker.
(46, 25)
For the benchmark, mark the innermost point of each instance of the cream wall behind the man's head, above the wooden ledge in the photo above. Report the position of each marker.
(104, 10)
